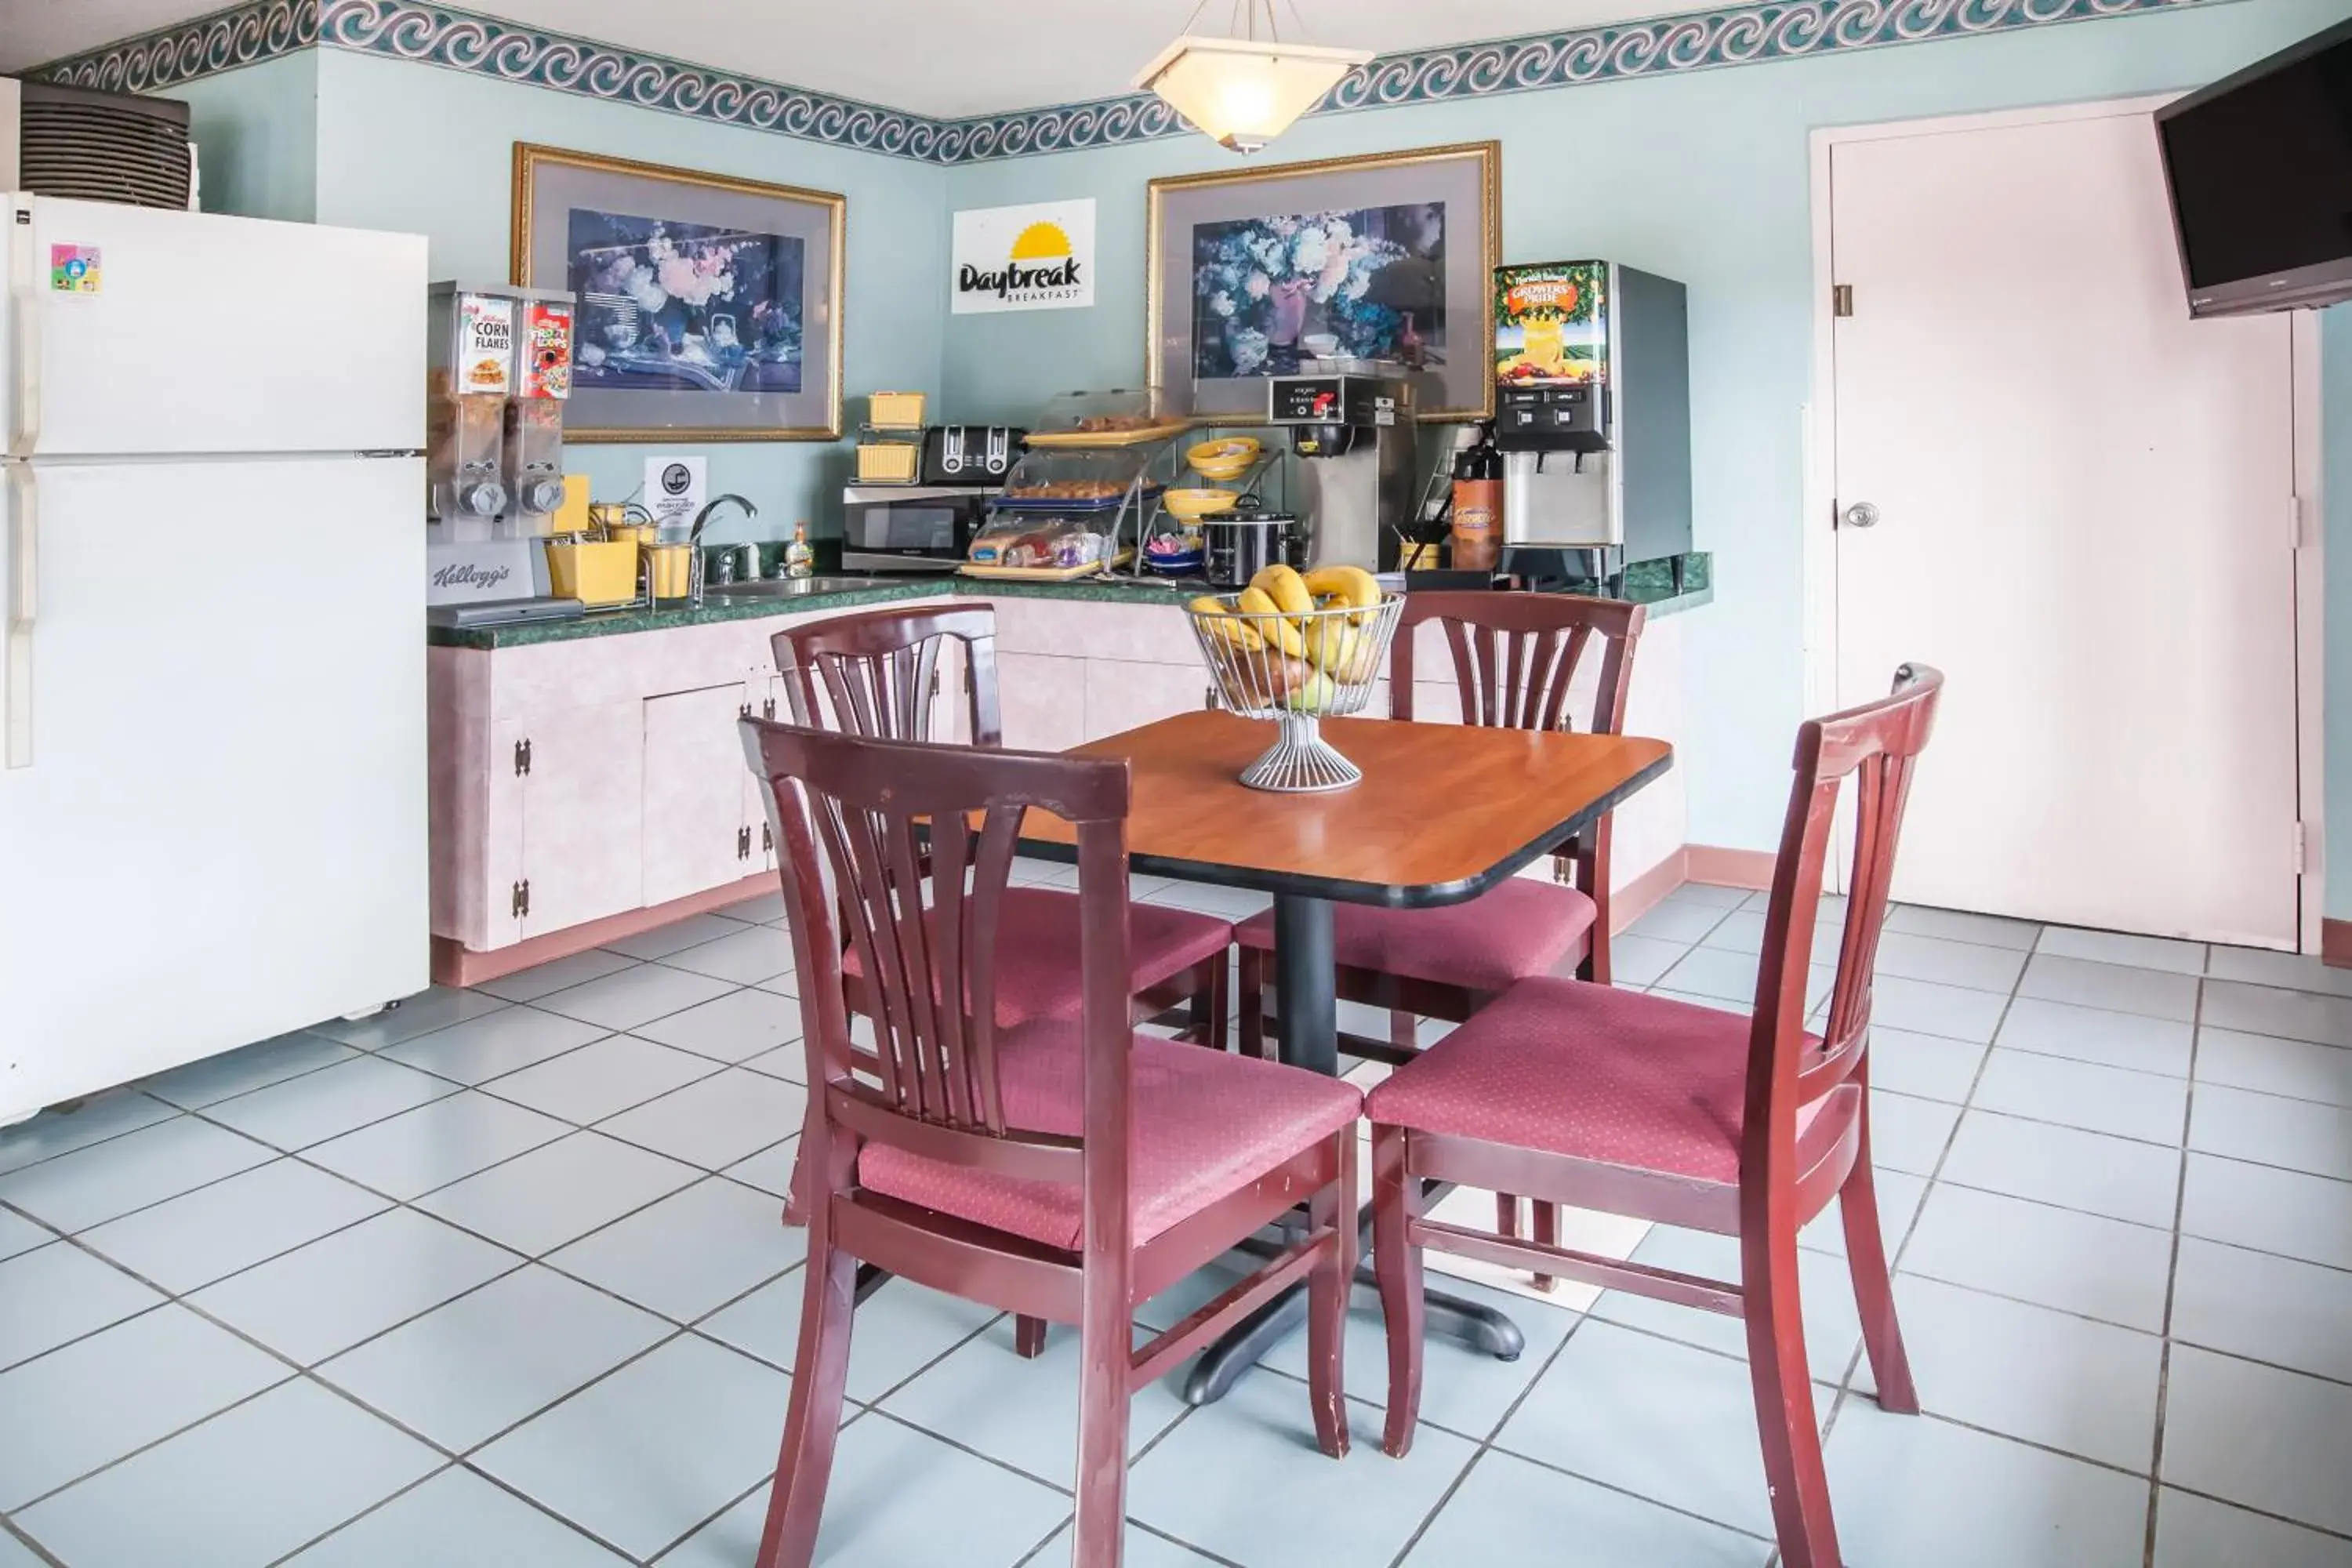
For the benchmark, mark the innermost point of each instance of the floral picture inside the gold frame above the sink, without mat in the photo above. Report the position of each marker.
(671, 304)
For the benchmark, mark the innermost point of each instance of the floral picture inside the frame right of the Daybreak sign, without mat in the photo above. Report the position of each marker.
(1321, 286)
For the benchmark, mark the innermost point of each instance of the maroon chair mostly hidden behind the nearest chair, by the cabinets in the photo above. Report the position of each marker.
(881, 678)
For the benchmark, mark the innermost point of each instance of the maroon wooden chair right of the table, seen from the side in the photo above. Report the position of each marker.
(1685, 1115)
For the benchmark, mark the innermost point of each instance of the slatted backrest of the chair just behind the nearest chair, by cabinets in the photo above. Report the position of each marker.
(878, 669)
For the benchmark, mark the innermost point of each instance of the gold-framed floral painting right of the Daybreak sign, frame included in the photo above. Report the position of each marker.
(1382, 260)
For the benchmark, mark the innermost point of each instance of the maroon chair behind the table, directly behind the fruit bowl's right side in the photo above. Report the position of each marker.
(1514, 662)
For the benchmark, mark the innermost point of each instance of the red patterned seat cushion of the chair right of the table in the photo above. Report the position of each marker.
(1586, 1071)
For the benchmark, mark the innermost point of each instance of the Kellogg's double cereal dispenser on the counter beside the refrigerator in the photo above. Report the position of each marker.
(497, 377)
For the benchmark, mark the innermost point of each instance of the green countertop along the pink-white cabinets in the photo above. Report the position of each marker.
(1645, 587)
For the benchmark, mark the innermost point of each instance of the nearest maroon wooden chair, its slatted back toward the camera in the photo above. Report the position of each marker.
(1064, 1167)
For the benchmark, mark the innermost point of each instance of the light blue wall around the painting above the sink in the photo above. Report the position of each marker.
(432, 152)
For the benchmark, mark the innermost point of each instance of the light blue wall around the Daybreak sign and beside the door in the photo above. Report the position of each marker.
(1702, 177)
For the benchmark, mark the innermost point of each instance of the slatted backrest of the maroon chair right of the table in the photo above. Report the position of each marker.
(1878, 746)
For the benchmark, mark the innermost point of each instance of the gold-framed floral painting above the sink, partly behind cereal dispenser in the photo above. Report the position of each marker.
(707, 307)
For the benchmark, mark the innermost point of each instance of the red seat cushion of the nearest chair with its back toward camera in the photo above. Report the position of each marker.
(1205, 1125)
